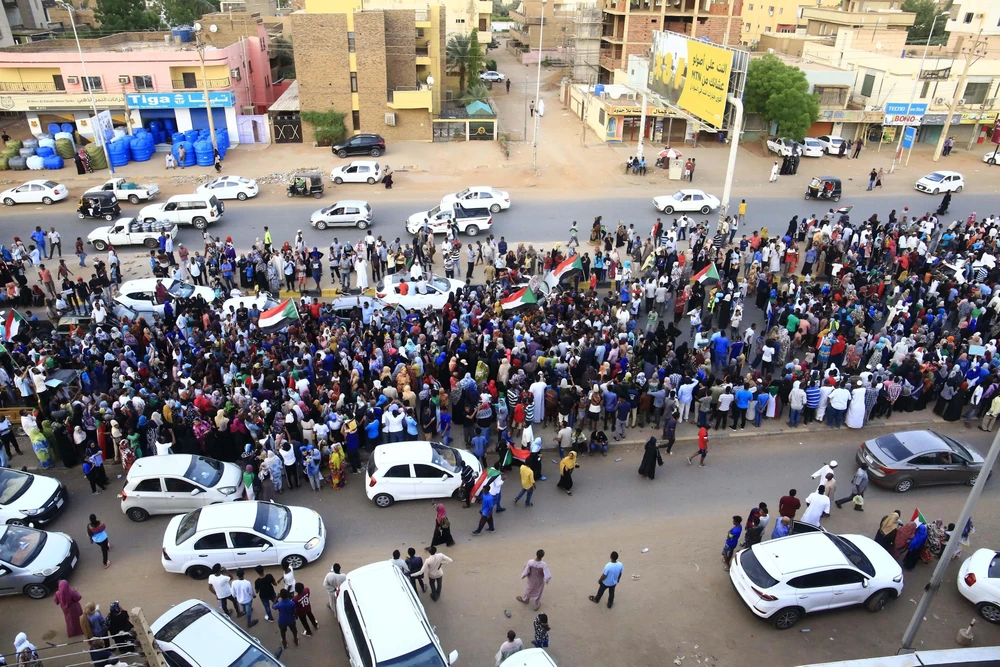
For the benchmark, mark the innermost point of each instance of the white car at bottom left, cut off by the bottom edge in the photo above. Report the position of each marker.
(192, 634)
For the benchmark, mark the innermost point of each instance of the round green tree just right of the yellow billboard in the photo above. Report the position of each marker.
(780, 93)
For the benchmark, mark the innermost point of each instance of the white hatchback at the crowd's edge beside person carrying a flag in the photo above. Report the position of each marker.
(414, 470)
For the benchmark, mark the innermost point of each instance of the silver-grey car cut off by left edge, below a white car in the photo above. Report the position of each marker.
(33, 561)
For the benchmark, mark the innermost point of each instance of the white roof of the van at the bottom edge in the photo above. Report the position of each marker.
(380, 597)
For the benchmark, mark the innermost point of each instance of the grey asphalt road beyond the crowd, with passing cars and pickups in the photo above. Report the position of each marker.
(533, 218)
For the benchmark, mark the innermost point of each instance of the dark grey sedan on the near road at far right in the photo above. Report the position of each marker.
(906, 459)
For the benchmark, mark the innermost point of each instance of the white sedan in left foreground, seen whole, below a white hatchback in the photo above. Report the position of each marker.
(244, 534)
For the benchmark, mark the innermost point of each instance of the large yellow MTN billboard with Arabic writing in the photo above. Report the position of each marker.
(692, 74)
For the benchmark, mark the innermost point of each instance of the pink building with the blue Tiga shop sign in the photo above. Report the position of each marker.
(142, 77)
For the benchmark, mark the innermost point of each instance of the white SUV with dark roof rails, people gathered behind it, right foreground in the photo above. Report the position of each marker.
(784, 579)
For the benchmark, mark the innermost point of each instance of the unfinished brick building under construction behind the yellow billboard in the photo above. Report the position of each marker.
(629, 26)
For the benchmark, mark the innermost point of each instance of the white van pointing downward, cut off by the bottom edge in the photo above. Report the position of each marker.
(383, 621)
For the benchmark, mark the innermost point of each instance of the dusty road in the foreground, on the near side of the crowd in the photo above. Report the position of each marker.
(682, 603)
